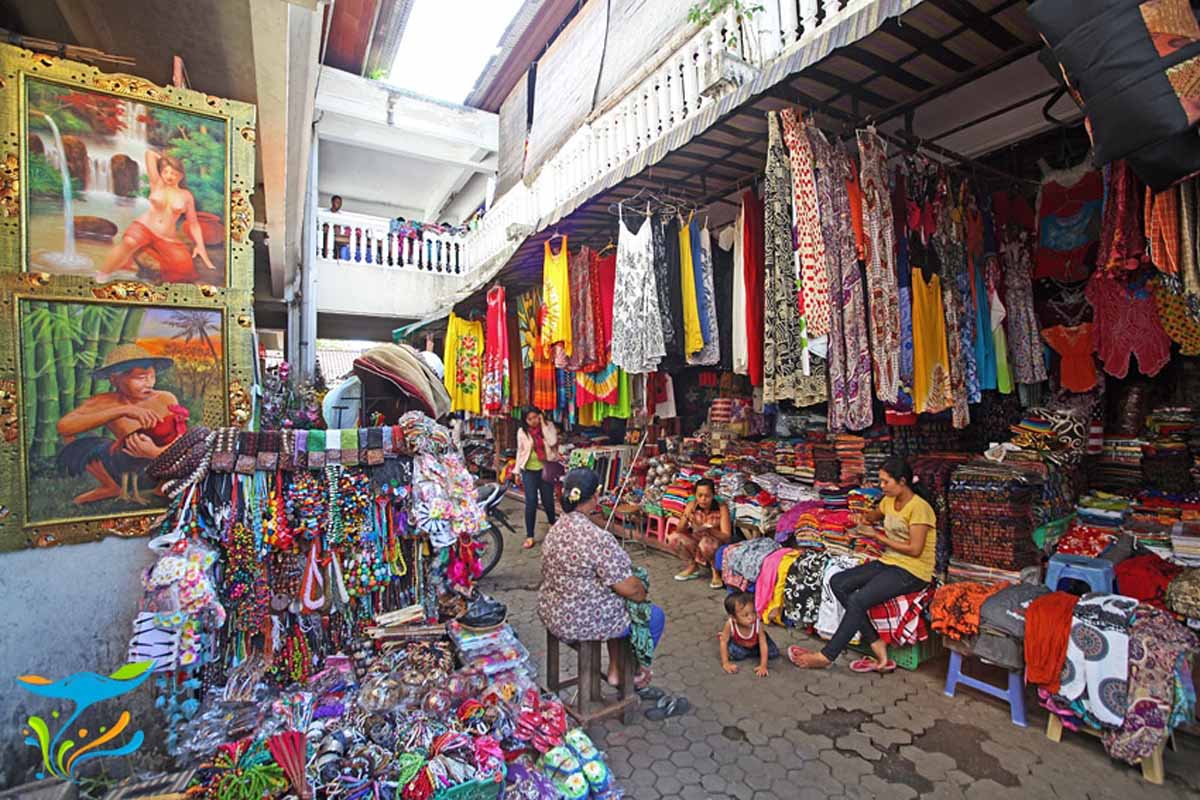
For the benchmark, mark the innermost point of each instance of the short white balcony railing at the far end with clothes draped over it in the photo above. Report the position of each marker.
(367, 240)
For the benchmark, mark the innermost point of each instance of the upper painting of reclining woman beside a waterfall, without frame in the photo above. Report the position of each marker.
(119, 189)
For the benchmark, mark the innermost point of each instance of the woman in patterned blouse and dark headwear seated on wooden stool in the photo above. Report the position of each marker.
(586, 579)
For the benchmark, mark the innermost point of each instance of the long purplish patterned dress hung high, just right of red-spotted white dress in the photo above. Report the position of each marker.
(849, 347)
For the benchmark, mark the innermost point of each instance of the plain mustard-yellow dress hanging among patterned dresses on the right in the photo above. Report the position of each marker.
(931, 356)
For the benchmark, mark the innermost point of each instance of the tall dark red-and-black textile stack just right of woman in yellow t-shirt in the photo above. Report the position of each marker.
(994, 515)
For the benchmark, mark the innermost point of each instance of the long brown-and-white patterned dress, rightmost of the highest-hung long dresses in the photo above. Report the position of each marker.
(881, 268)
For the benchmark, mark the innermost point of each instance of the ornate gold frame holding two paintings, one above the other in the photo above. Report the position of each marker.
(127, 290)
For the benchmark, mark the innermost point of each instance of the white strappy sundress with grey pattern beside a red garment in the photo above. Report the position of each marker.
(637, 320)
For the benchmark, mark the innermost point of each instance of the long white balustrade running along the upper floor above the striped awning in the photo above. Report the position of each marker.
(683, 86)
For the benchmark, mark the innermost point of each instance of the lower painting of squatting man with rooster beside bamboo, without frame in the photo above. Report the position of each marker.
(105, 390)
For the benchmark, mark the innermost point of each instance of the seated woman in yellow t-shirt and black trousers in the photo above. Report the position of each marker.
(910, 543)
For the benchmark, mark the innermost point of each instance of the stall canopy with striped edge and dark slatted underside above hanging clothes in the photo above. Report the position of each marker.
(956, 80)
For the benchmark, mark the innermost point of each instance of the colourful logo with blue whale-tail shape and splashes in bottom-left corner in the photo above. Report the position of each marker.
(61, 757)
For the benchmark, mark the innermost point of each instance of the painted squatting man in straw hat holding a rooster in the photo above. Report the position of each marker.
(142, 419)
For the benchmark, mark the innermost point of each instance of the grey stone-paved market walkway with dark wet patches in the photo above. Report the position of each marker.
(826, 735)
